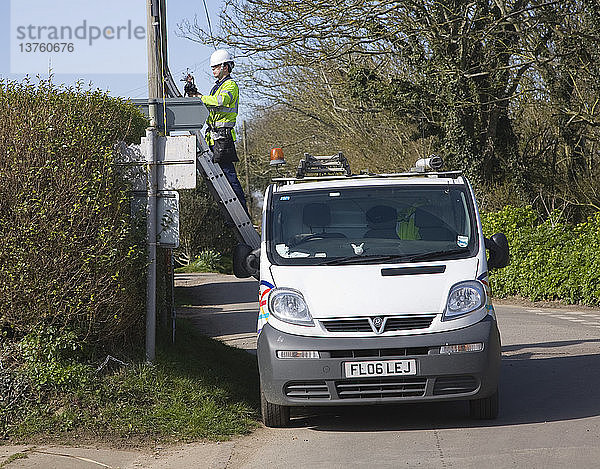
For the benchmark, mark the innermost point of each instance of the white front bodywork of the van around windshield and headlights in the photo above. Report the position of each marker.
(361, 291)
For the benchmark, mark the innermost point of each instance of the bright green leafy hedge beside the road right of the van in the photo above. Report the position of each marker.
(549, 260)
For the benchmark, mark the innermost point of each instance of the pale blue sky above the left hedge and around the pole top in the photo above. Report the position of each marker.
(115, 56)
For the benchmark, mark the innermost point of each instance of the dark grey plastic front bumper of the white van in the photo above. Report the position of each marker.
(322, 381)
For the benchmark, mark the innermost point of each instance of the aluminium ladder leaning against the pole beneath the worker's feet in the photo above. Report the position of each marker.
(218, 184)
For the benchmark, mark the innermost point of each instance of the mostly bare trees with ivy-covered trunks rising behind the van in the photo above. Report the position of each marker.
(502, 89)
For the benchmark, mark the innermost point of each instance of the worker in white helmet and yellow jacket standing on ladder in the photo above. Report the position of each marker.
(222, 103)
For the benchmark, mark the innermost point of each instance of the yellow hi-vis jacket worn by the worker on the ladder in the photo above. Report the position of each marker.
(223, 106)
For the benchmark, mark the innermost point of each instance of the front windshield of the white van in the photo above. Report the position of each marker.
(360, 225)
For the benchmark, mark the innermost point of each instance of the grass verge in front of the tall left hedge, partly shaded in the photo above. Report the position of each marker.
(199, 388)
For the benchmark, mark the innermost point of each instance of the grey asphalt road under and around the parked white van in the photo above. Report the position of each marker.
(549, 404)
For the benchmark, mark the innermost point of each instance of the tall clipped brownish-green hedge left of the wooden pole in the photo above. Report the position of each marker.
(70, 256)
